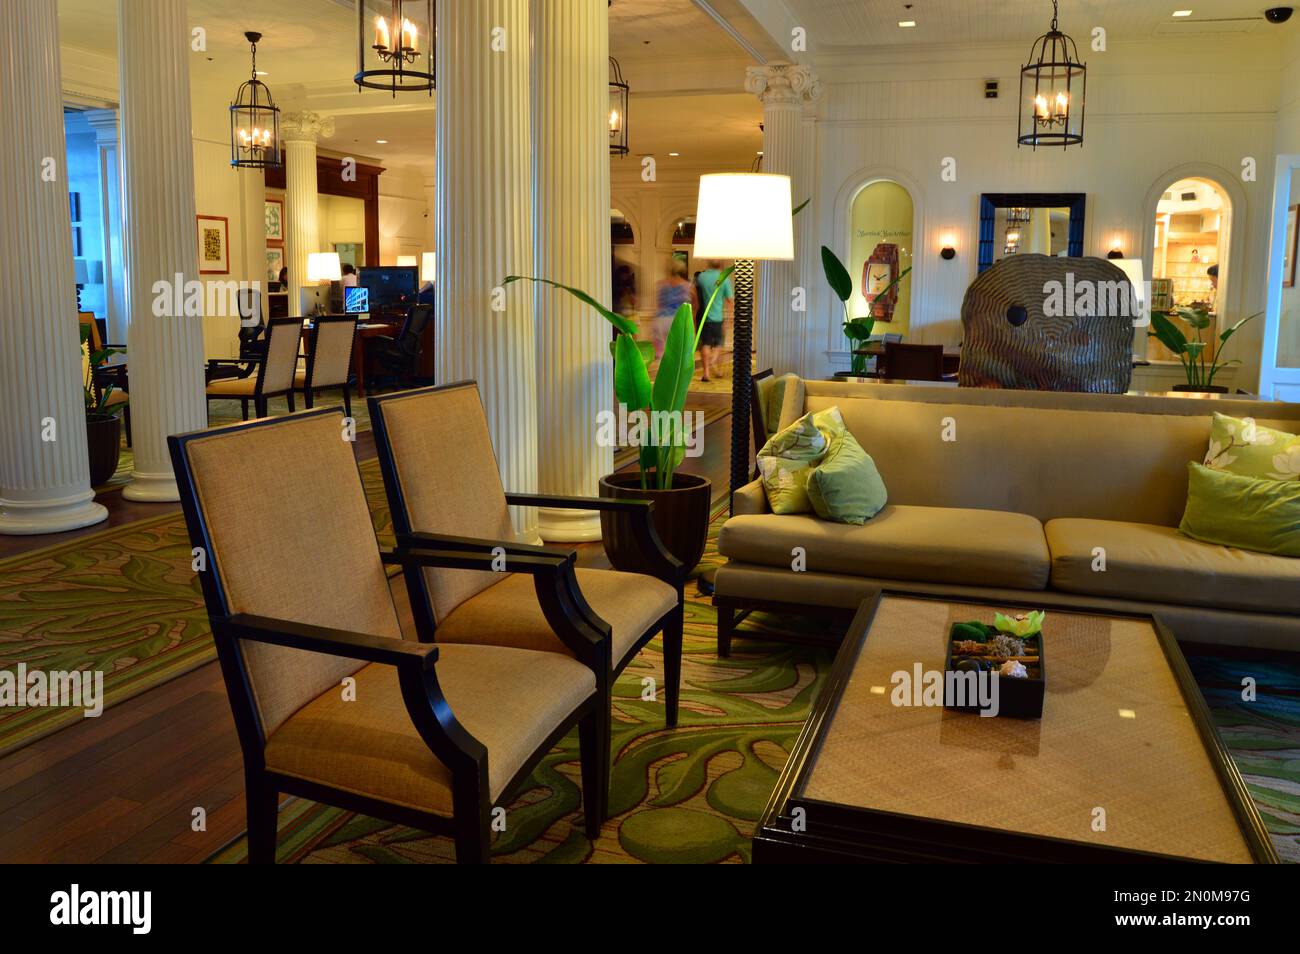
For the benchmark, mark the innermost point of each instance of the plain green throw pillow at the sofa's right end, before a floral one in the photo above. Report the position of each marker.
(1246, 513)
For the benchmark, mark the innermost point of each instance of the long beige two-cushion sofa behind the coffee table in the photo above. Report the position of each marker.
(1030, 492)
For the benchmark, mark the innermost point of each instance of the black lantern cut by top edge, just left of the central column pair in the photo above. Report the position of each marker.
(395, 46)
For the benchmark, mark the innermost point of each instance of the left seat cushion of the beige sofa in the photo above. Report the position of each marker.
(956, 547)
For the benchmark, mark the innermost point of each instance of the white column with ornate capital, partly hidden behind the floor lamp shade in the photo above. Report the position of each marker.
(782, 88)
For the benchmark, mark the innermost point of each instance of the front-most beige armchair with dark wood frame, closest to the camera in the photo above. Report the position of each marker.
(330, 701)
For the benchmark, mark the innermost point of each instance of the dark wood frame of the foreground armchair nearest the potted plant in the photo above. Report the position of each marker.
(566, 609)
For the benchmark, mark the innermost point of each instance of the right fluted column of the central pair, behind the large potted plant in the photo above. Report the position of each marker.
(571, 201)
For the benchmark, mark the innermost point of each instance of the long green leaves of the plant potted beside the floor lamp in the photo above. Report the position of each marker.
(664, 400)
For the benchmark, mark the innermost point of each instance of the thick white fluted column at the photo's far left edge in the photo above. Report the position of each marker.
(45, 476)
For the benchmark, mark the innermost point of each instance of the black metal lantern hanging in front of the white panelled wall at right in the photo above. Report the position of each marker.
(1052, 92)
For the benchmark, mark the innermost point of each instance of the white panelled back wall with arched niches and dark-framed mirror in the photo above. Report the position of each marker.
(1152, 115)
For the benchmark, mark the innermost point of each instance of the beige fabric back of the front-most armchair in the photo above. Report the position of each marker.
(292, 539)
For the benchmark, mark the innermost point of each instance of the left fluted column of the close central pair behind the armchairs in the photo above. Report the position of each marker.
(486, 227)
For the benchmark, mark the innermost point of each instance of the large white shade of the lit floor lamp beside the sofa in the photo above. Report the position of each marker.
(746, 216)
